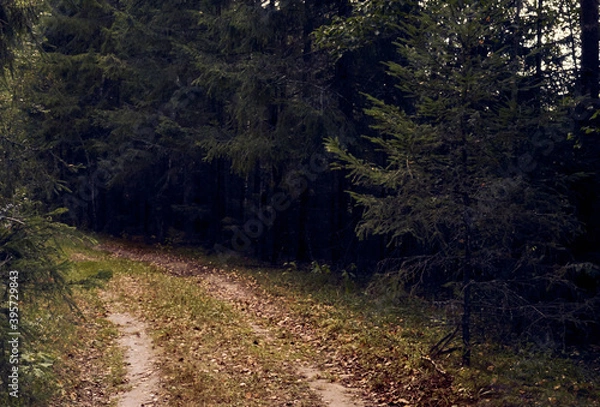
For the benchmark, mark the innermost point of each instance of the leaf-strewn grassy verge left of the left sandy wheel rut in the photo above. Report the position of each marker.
(68, 354)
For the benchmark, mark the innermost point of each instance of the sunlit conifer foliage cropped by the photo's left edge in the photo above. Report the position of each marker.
(30, 269)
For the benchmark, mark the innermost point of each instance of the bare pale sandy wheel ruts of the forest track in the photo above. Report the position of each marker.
(142, 373)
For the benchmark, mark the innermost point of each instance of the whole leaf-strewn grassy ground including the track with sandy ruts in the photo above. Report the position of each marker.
(173, 328)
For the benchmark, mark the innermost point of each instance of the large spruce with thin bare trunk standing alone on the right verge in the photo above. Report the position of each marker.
(470, 172)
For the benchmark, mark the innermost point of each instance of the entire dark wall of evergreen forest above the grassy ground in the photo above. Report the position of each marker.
(465, 132)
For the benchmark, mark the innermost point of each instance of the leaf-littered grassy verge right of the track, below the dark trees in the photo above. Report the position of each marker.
(384, 345)
